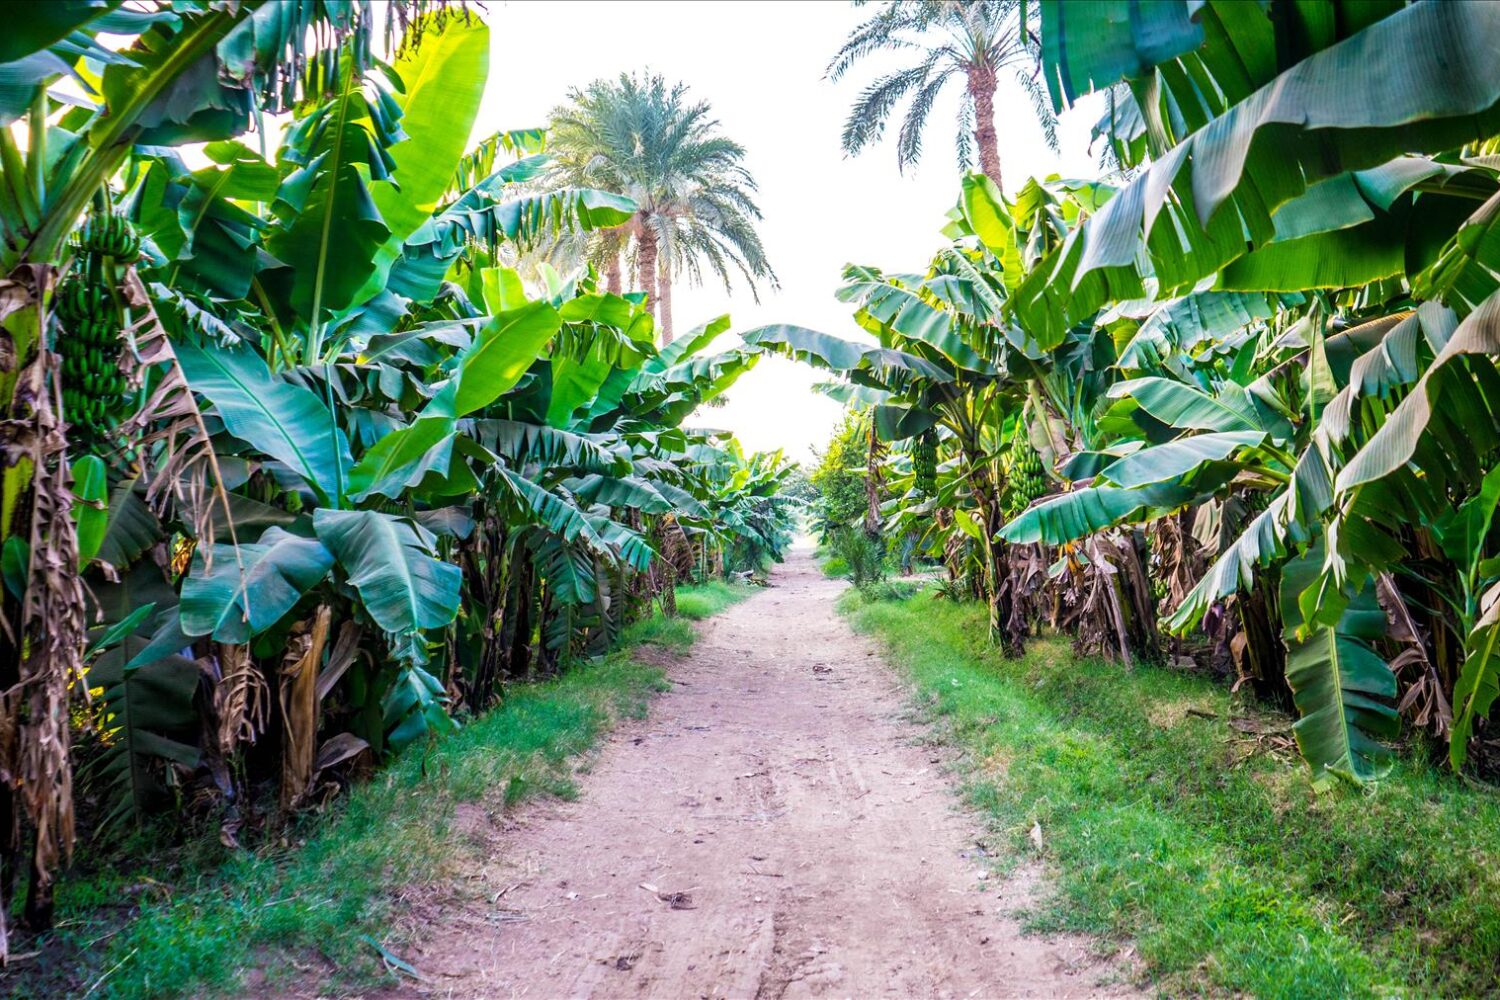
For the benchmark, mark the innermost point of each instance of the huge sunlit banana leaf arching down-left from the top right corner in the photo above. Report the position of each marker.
(1415, 82)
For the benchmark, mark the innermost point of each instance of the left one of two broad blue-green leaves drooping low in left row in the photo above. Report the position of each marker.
(251, 587)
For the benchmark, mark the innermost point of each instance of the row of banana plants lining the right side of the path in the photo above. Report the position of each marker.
(1243, 404)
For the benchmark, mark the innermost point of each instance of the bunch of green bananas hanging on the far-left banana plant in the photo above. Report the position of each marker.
(94, 386)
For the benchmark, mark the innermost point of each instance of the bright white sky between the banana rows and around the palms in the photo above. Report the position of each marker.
(761, 65)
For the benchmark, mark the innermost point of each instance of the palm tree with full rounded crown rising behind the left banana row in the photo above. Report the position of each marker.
(643, 139)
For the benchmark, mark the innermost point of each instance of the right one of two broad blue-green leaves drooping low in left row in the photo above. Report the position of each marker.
(389, 561)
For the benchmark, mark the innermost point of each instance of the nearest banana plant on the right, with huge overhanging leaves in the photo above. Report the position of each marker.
(1219, 103)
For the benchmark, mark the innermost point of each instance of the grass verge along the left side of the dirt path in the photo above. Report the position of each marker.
(197, 924)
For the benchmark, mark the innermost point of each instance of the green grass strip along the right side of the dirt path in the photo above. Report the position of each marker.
(1201, 843)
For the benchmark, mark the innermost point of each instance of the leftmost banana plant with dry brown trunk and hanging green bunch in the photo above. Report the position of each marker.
(187, 74)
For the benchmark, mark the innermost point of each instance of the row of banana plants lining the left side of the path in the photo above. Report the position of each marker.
(298, 472)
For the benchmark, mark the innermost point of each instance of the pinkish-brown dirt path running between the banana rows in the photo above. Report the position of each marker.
(802, 840)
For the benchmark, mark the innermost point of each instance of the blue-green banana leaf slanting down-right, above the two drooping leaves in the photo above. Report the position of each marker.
(278, 419)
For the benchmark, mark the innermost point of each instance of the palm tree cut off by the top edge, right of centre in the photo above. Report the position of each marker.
(974, 40)
